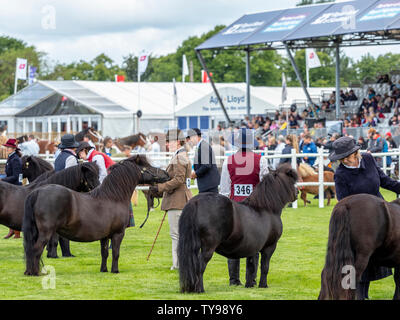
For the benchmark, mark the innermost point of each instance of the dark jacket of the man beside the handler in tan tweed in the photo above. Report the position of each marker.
(205, 168)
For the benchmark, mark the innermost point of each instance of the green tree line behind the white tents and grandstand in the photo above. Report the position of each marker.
(226, 65)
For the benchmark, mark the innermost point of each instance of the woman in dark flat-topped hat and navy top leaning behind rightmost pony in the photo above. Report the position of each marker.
(360, 173)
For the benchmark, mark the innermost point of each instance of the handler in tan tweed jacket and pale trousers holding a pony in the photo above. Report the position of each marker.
(176, 192)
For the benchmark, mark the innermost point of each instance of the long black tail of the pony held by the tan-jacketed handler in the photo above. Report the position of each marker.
(31, 234)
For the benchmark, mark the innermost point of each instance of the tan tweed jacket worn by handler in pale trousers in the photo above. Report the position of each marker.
(175, 191)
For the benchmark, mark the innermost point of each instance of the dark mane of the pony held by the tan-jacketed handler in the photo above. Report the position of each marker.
(119, 184)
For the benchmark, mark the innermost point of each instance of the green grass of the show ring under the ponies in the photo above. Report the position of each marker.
(294, 271)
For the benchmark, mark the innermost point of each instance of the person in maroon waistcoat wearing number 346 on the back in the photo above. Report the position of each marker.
(241, 172)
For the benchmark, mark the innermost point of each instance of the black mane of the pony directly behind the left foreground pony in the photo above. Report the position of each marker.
(69, 176)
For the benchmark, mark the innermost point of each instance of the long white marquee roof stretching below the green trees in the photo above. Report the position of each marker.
(113, 99)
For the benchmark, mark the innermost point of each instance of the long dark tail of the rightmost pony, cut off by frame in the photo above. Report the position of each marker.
(339, 254)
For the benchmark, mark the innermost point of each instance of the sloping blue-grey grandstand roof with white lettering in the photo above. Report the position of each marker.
(356, 17)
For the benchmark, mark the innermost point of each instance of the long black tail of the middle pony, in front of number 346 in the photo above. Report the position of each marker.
(189, 244)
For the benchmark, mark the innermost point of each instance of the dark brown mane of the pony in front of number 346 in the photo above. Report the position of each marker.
(274, 190)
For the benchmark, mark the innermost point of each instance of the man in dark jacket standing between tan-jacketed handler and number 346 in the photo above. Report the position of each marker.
(205, 167)
